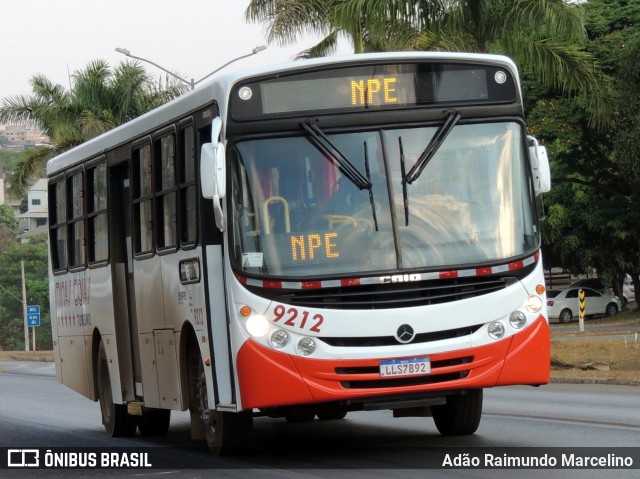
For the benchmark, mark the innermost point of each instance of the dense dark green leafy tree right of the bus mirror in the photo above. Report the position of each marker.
(594, 207)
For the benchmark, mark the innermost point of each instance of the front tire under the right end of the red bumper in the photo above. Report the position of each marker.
(461, 415)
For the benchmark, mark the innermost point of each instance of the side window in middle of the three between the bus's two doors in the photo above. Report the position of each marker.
(165, 163)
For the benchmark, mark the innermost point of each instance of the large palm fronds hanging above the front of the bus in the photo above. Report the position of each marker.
(545, 37)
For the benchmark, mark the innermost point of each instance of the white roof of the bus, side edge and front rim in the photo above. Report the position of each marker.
(218, 88)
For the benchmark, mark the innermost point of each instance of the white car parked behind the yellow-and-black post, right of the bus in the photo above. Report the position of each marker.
(564, 304)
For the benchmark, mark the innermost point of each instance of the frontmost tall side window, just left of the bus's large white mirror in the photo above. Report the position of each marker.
(188, 202)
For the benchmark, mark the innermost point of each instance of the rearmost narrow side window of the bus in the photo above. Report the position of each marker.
(58, 225)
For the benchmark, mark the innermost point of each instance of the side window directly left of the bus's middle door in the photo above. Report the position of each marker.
(97, 218)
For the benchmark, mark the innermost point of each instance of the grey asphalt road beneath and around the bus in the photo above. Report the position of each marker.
(37, 412)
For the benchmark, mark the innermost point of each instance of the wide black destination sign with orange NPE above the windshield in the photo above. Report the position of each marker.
(373, 87)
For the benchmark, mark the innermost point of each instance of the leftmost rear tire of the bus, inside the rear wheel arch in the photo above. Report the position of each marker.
(117, 422)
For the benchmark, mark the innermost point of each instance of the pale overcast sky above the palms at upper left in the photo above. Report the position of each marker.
(188, 37)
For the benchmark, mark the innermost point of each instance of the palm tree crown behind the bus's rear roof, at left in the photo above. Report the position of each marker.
(98, 100)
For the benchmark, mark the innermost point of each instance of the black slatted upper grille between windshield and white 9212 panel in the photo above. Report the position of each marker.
(396, 295)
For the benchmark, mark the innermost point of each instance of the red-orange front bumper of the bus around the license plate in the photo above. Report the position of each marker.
(269, 378)
